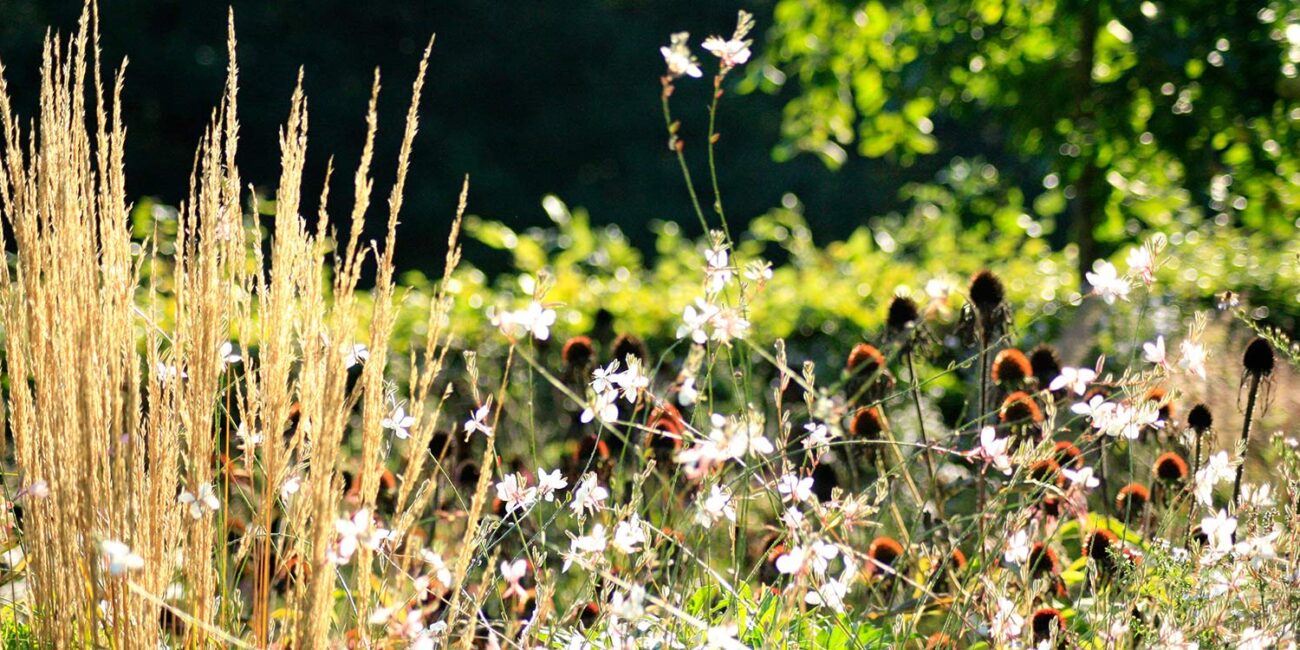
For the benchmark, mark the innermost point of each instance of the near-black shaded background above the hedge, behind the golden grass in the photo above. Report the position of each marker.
(527, 98)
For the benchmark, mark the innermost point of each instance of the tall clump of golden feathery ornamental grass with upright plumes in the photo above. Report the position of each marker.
(133, 405)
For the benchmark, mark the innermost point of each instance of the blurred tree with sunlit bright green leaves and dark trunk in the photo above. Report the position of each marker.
(1119, 115)
